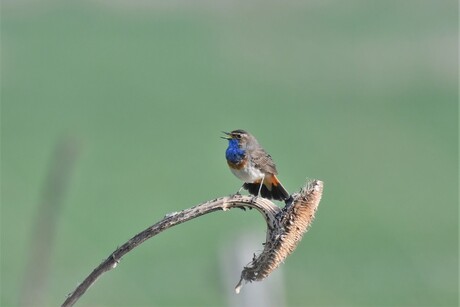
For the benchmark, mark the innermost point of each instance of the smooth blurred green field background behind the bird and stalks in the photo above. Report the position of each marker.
(359, 94)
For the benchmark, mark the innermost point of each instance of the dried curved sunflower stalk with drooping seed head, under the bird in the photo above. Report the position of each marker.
(284, 231)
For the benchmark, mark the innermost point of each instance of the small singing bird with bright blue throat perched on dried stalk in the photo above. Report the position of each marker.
(251, 163)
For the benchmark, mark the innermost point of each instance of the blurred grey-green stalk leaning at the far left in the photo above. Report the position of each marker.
(43, 231)
